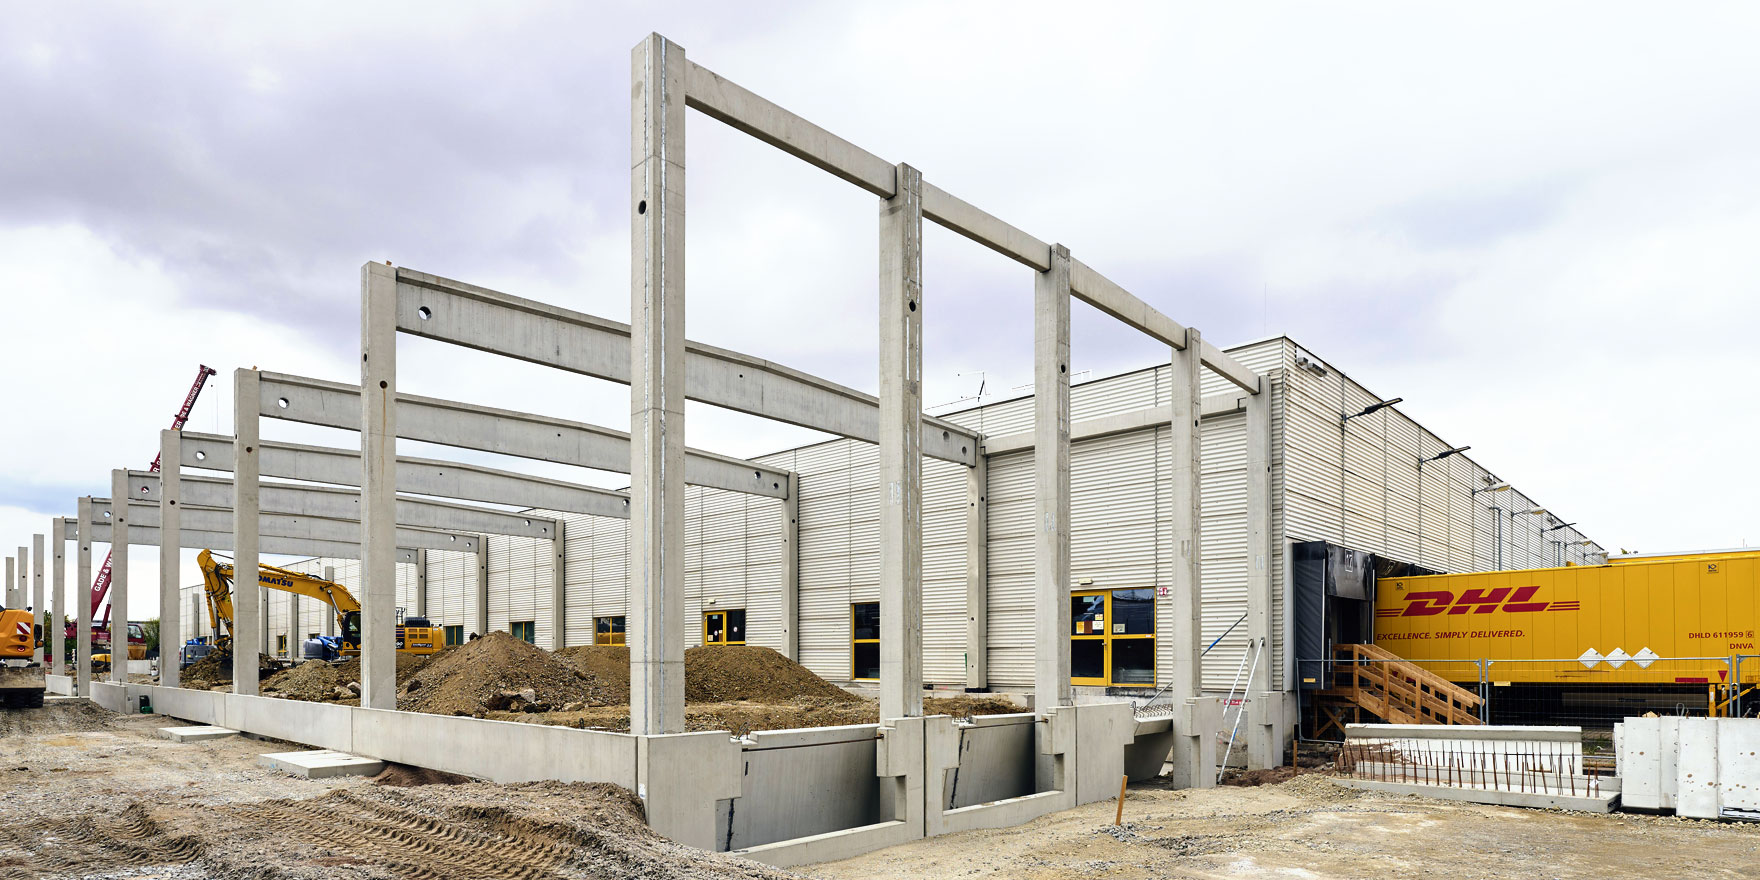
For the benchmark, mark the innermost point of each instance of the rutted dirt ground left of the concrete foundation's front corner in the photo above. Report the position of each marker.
(99, 796)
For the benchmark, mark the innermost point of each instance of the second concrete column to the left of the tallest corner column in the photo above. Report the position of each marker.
(247, 606)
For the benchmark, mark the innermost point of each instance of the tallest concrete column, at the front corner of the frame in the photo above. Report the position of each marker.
(657, 390)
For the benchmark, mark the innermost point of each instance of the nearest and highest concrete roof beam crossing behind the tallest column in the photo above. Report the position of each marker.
(598, 348)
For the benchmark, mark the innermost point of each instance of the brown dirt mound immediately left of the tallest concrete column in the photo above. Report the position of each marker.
(495, 673)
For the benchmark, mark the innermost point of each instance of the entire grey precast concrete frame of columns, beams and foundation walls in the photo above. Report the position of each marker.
(1069, 754)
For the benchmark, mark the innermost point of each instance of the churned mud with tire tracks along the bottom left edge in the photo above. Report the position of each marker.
(531, 832)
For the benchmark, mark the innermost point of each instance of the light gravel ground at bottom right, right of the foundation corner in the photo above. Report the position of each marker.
(1316, 830)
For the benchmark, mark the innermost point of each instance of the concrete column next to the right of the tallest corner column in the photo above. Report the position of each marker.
(902, 448)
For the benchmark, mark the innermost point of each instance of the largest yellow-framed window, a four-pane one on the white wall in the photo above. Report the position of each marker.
(1113, 638)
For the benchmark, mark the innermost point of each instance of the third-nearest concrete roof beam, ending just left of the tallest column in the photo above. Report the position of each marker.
(418, 476)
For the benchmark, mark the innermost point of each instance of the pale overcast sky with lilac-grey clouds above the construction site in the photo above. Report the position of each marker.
(1537, 224)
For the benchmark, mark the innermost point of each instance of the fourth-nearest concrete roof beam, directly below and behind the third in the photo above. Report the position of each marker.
(346, 504)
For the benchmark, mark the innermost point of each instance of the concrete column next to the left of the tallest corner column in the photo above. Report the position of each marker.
(379, 487)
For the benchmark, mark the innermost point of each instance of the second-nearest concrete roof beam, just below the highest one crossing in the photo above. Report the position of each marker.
(504, 432)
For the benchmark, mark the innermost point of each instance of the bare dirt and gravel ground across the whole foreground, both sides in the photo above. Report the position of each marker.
(99, 796)
